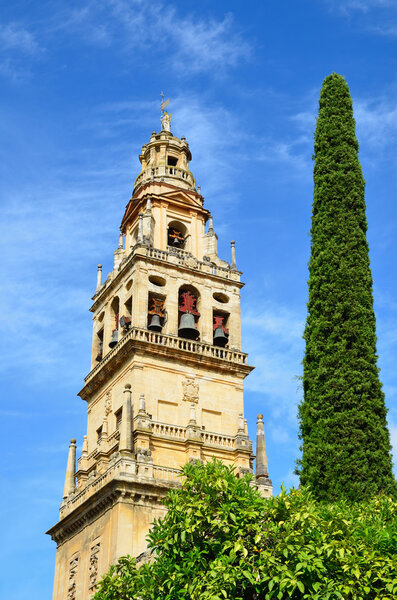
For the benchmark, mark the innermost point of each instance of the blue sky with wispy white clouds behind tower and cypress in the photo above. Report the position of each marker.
(80, 88)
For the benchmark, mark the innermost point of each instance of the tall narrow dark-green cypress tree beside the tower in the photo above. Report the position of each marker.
(343, 428)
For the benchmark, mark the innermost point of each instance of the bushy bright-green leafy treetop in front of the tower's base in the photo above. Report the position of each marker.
(221, 540)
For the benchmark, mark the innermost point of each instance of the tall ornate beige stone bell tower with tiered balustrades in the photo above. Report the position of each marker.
(167, 372)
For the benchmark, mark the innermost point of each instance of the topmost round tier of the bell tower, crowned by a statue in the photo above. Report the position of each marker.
(166, 158)
